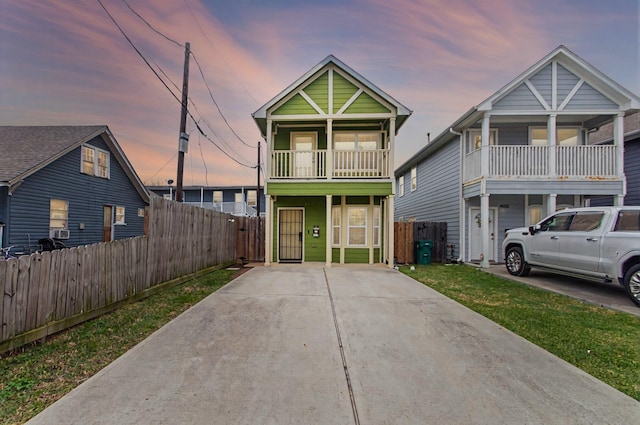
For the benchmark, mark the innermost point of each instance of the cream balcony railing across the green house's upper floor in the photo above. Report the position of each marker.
(342, 164)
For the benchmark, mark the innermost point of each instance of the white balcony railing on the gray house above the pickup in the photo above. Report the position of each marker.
(534, 162)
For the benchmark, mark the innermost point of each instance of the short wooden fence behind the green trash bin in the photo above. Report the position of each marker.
(406, 234)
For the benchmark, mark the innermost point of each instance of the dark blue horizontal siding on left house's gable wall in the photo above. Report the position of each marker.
(86, 195)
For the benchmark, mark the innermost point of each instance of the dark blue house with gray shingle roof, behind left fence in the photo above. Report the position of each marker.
(72, 183)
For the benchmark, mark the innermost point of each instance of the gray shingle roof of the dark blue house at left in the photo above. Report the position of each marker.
(27, 149)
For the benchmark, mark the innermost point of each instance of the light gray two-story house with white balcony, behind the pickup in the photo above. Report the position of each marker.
(521, 154)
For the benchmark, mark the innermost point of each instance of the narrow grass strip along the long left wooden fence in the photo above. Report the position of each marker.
(34, 377)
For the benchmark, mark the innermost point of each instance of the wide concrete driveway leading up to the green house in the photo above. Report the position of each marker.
(343, 345)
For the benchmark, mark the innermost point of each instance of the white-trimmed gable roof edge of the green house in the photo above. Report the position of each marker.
(261, 114)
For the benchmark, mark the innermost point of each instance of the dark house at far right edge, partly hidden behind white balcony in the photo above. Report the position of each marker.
(604, 135)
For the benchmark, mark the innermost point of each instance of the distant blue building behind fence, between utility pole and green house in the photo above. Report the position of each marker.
(236, 200)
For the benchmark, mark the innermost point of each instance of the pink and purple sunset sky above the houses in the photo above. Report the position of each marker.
(65, 62)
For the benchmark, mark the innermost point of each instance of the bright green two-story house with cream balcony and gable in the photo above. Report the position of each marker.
(329, 168)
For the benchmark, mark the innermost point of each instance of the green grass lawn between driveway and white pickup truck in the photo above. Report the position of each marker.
(602, 342)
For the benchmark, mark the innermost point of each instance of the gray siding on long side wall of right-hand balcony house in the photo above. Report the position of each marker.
(437, 197)
